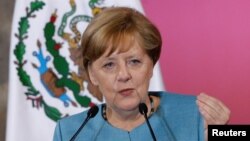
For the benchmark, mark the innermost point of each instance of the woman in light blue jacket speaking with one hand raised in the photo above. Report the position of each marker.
(119, 50)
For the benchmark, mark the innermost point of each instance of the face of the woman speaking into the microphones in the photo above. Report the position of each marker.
(123, 77)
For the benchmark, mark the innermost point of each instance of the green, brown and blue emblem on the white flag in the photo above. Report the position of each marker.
(55, 79)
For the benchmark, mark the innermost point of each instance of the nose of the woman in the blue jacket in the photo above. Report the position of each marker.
(123, 74)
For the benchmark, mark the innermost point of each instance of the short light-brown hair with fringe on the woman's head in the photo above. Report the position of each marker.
(117, 26)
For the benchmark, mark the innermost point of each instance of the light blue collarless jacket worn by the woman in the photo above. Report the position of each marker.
(176, 119)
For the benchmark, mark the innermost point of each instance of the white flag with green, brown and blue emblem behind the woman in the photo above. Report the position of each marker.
(44, 83)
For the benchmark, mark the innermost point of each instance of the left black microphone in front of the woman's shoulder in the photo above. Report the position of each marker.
(91, 113)
